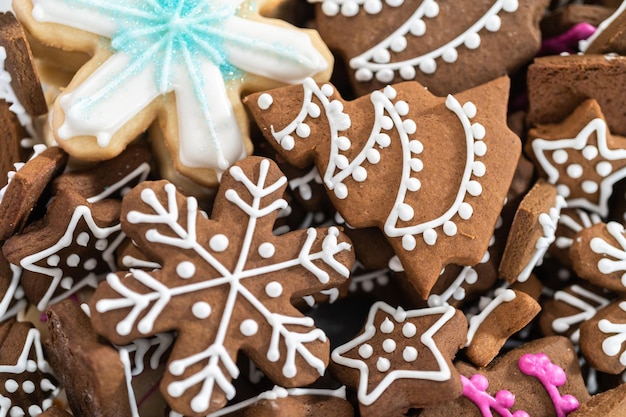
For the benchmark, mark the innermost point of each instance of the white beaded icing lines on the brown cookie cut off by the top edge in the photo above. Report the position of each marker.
(378, 62)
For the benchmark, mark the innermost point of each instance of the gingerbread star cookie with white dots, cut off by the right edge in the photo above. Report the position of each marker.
(581, 157)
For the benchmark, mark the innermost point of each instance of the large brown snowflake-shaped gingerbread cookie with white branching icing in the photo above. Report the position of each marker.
(225, 285)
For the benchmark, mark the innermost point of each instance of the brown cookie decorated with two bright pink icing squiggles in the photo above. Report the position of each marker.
(539, 378)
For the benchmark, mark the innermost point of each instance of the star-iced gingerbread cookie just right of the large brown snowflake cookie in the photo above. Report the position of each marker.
(402, 359)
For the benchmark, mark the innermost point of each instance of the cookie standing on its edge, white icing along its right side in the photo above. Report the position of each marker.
(532, 232)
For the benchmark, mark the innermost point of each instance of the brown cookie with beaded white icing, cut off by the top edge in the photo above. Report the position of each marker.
(445, 45)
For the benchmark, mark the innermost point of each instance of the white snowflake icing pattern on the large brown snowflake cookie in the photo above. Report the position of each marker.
(216, 358)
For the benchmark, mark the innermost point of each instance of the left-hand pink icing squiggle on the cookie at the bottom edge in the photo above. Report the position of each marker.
(475, 389)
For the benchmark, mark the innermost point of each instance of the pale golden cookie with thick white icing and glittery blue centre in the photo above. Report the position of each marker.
(159, 64)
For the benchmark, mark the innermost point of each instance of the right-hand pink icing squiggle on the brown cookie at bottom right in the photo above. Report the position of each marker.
(551, 377)
